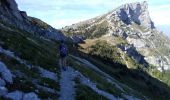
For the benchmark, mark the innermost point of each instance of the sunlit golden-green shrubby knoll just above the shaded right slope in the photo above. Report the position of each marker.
(109, 53)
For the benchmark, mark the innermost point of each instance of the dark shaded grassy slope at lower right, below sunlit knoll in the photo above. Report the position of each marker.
(136, 79)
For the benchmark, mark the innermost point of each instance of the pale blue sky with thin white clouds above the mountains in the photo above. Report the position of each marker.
(60, 13)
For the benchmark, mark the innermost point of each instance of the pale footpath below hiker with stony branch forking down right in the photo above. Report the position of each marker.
(67, 85)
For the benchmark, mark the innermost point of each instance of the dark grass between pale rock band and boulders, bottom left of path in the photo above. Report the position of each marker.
(24, 83)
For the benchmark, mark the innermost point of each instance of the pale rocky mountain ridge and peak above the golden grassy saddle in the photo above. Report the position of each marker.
(131, 22)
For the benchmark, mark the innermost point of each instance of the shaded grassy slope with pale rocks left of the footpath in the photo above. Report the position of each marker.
(27, 65)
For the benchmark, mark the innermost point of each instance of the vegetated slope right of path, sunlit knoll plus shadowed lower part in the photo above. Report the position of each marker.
(137, 79)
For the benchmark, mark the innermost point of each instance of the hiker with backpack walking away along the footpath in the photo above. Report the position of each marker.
(63, 55)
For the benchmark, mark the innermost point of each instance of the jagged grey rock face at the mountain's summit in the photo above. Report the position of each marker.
(135, 12)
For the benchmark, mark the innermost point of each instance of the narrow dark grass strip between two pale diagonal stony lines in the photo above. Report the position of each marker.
(96, 78)
